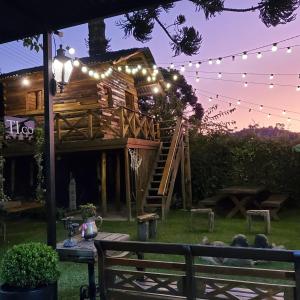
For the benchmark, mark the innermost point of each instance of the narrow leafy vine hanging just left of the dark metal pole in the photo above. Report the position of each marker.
(38, 156)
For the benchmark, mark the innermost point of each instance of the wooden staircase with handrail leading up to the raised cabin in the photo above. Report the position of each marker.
(173, 151)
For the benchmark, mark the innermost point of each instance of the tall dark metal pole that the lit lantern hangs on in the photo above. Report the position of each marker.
(49, 141)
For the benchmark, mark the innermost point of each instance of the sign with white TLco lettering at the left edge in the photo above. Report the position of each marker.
(19, 128)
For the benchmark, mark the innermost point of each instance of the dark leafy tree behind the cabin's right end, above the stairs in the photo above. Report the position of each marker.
(172, 104)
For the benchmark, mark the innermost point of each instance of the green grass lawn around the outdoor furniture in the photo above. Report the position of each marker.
(175, 229)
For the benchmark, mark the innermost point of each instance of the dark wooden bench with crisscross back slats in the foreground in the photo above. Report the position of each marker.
(160, 279)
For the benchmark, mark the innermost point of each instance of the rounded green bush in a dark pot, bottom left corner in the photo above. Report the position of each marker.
(29, 271)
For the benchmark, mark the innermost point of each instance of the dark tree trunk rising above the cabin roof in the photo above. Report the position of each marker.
(98, 44)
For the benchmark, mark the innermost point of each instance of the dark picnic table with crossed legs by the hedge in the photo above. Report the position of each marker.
(240, 196)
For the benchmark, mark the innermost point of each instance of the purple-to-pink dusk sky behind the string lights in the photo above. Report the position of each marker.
(225, 34)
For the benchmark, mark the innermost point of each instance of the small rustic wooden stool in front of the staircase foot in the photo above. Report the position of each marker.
(147, 226)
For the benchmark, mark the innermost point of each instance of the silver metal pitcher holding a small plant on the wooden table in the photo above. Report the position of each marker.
(89, 228)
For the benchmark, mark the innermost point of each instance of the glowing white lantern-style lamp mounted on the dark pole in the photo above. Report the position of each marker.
(62, 68)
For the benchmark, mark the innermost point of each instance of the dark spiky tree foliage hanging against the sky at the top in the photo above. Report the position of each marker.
(187, 40)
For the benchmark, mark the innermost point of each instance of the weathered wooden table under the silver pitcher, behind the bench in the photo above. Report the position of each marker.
(85, 252)
